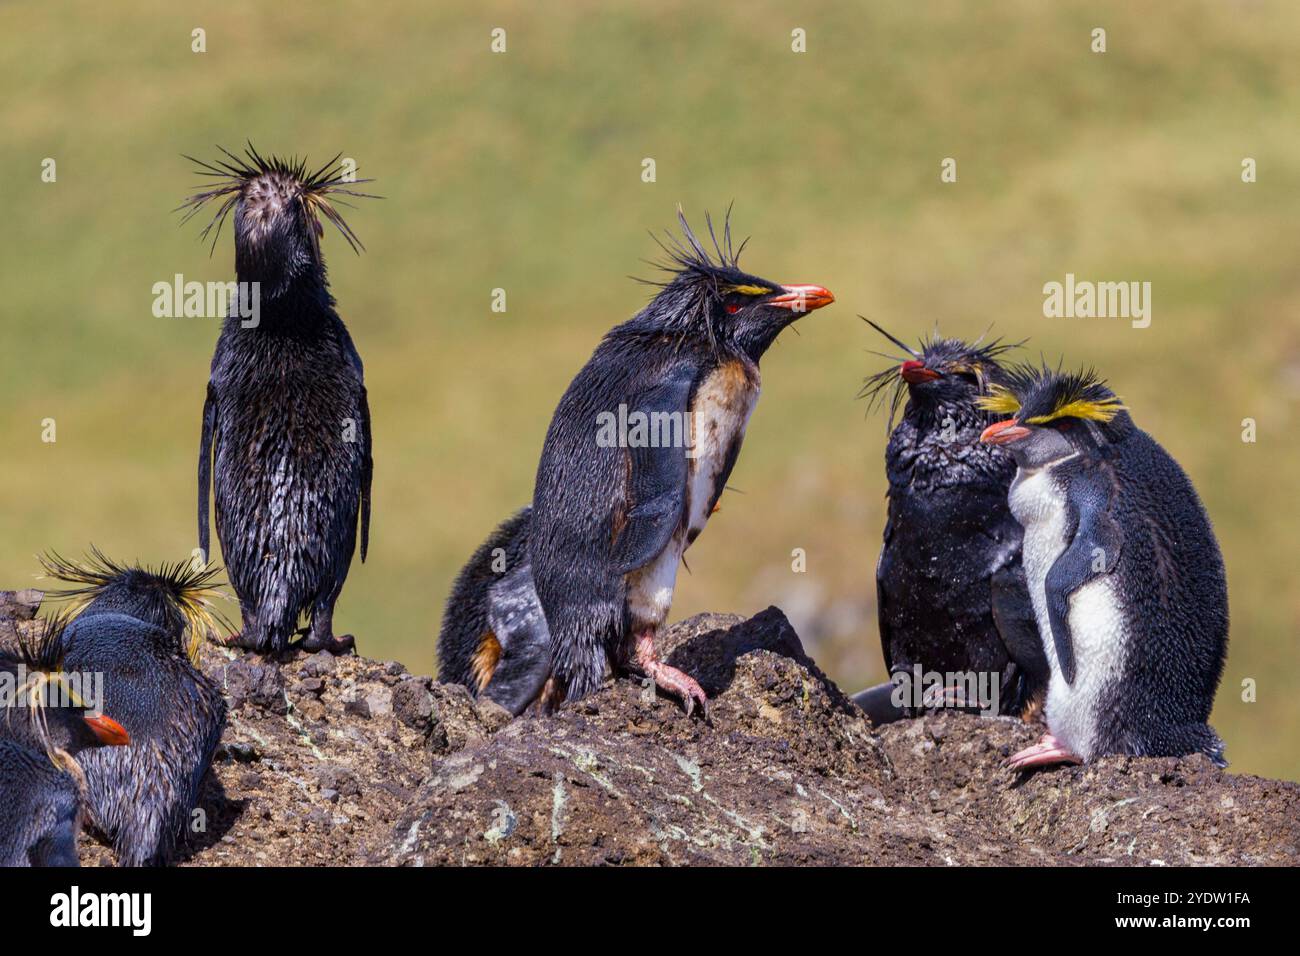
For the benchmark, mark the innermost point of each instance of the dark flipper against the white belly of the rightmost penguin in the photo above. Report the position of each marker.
(1093, 552)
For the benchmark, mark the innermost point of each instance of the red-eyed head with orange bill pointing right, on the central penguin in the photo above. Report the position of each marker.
(709, 299)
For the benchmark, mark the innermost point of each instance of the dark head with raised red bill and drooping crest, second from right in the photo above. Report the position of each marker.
(939, 373)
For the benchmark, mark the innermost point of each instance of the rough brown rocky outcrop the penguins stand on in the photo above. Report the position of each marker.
(357, 762)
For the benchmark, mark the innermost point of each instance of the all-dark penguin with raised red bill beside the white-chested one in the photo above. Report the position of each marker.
(951, 592)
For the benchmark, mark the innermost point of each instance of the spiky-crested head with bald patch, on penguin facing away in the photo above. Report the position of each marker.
(278, 206)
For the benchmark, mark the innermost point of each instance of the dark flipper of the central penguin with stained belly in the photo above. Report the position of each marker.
(657, 487)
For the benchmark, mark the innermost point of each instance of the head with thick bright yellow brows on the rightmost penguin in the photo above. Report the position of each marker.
(1051, 416)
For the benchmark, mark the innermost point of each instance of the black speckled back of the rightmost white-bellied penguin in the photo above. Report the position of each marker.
(1173, 587)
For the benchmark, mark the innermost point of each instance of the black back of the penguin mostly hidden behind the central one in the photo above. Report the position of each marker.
(465, 621)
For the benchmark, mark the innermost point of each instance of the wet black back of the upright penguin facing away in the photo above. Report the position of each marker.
(288, 482)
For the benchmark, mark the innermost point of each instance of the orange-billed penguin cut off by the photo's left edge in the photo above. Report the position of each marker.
(49, 721)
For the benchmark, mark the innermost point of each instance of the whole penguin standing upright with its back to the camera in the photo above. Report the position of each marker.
(287, 423)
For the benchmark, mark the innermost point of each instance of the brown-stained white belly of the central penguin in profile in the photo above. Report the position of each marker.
(723, 404)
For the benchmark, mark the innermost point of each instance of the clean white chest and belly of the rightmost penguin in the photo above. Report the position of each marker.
(1097, 624)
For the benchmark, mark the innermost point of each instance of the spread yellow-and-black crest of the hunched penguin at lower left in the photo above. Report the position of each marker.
(189, 589)
